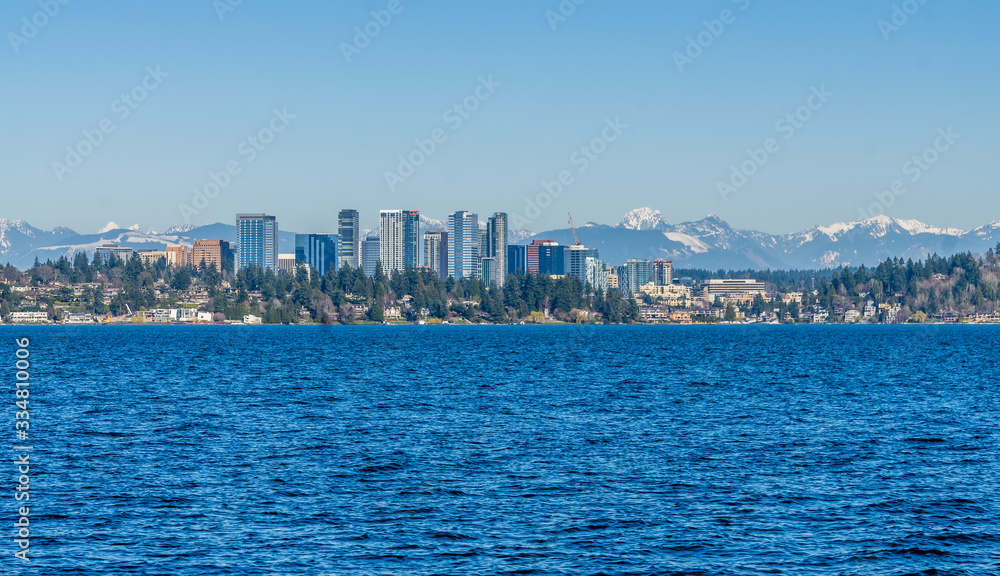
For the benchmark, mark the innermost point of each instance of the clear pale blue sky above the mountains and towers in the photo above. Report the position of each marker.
(552, 85)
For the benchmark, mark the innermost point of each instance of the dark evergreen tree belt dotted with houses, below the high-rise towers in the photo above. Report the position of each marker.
(346, 295)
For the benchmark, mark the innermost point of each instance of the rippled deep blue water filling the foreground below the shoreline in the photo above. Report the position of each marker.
(513, 450)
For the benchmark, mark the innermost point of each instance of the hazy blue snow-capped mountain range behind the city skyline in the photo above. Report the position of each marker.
(642, 233)
